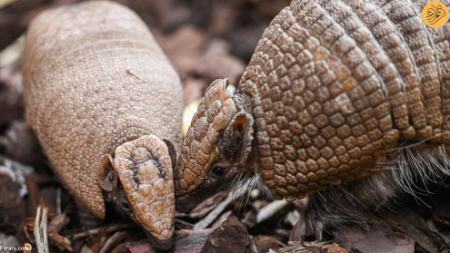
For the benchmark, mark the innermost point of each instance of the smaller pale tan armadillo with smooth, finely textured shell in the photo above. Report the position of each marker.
(106, 106)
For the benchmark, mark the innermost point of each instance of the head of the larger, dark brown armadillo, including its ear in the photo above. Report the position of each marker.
(217, 146)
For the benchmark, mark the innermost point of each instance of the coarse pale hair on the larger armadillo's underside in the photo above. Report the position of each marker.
(411, 173)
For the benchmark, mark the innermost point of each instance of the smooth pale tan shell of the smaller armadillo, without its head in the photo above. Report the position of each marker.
(95, 78)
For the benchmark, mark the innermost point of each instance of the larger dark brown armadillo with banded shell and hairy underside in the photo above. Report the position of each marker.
(337, 90)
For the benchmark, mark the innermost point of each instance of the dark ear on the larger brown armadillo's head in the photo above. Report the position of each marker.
(236, 143)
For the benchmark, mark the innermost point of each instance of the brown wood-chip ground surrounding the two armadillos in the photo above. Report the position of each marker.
(204, 40)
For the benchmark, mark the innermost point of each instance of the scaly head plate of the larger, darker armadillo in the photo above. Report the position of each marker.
(200, 146)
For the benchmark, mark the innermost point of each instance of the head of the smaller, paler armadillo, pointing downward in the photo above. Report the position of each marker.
(138, 181)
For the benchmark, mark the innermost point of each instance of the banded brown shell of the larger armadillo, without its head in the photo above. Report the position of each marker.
(336, 84)
